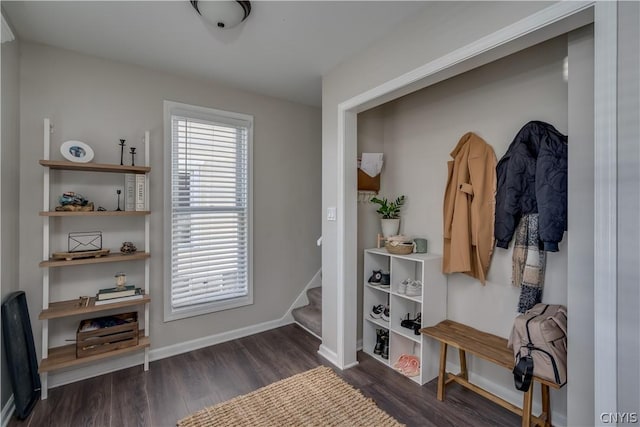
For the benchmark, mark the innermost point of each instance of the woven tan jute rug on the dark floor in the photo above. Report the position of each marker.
(314, 398)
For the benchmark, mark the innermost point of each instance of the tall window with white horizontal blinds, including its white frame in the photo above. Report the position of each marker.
(207, 210)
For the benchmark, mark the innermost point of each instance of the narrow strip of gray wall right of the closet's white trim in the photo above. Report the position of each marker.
(628, 206)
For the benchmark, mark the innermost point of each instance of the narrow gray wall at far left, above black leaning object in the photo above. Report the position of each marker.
(9, 155)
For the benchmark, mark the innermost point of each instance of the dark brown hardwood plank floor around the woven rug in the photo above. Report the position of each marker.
(178, 386)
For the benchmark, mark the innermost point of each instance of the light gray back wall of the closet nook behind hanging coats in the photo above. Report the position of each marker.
(419, 132)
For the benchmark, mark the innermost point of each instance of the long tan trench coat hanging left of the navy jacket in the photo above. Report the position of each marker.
(469, 208)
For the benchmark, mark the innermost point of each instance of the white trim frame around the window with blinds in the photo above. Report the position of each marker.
(205, 113)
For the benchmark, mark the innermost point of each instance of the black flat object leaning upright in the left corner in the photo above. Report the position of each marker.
(21, 353)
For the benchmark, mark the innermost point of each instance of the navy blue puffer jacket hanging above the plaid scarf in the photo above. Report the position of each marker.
(532, 178)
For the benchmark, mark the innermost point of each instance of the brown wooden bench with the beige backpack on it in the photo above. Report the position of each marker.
(494, 349)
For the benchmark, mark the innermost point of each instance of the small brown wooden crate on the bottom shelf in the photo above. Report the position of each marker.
(112, 333)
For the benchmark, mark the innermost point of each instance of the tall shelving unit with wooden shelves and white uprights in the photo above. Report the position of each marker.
(54, 358)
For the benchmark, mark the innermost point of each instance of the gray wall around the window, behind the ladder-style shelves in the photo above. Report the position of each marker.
(99, 101)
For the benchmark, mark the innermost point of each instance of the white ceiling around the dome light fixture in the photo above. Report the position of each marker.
(281, 50)
